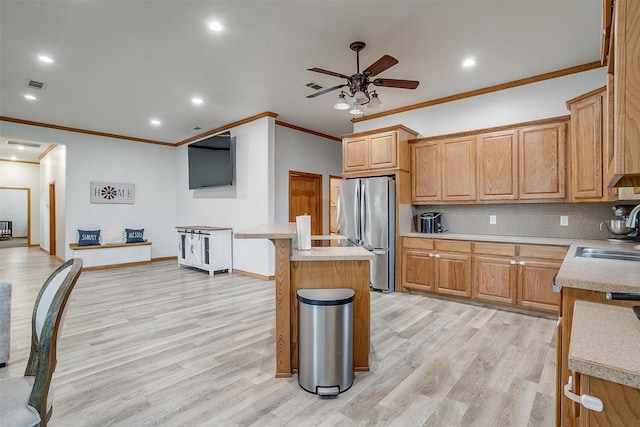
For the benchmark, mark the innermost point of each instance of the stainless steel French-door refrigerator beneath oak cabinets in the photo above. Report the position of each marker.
(367, 218)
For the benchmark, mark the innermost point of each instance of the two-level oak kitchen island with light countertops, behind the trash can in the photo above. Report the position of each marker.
(321, 267)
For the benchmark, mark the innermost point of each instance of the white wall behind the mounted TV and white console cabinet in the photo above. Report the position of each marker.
(251, 204)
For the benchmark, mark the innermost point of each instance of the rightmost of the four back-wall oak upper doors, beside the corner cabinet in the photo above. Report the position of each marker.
(542, 161)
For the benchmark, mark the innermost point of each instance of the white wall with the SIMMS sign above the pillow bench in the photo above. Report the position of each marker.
(83, 158)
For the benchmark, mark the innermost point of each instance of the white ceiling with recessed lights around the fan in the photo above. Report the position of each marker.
(120, 63)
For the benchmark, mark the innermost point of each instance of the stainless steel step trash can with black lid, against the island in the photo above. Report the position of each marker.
(325, 340)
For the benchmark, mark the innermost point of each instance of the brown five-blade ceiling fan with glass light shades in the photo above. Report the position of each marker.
(358, 83)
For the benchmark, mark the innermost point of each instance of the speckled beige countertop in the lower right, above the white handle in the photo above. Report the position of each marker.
(605, 343)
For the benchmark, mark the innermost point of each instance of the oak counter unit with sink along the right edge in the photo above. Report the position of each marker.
(598, 339)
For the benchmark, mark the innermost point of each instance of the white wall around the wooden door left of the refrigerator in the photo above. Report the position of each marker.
(303, 152)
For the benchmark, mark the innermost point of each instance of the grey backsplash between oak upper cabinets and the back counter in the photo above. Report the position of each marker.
(537, 220)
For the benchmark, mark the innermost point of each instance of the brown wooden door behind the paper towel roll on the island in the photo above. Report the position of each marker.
(305, 197)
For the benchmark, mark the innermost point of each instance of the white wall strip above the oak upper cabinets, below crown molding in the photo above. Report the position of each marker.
(535, 101)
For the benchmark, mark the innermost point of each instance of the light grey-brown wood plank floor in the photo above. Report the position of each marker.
(158, 345)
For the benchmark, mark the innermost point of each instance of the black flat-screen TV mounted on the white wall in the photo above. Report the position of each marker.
(211, 162)
